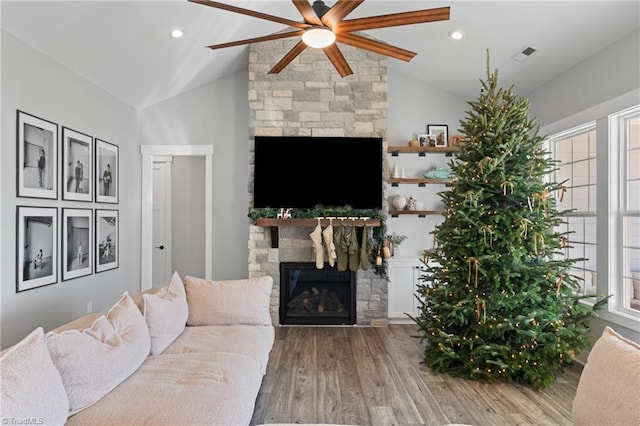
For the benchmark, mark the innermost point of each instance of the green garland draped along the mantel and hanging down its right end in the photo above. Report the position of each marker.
(379, 232)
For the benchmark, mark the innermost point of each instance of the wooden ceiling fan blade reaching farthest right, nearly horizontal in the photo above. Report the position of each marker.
(394, 19)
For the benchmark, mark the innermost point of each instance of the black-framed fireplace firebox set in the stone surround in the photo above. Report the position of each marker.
(312, 296)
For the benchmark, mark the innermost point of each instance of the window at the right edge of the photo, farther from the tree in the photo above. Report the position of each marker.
(625, 154)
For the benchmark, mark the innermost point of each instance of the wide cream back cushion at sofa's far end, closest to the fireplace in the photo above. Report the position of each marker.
(243, 301)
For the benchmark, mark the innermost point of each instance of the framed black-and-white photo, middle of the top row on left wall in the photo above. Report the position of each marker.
(77, 149)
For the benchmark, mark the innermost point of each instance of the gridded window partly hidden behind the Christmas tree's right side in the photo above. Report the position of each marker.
(575, 150)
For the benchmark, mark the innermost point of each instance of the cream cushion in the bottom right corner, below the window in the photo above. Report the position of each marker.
(608, 386)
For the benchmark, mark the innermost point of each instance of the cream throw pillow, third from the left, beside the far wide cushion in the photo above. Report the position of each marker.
(166, 314)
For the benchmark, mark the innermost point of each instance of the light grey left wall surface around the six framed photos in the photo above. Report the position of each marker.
(33, 83)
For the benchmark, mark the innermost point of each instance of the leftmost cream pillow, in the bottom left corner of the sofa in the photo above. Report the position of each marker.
(31, 385)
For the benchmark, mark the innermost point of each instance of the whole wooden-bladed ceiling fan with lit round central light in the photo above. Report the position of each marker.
(324, 25)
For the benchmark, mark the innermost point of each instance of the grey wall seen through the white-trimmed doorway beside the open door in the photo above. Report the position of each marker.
(187, 215)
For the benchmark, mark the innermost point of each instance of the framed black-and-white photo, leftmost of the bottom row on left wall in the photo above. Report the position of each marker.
(36, 247)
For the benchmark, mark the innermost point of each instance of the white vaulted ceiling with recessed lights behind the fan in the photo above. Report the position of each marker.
(125, 48)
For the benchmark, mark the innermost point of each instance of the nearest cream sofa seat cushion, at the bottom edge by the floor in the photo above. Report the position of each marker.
(181, 389)
